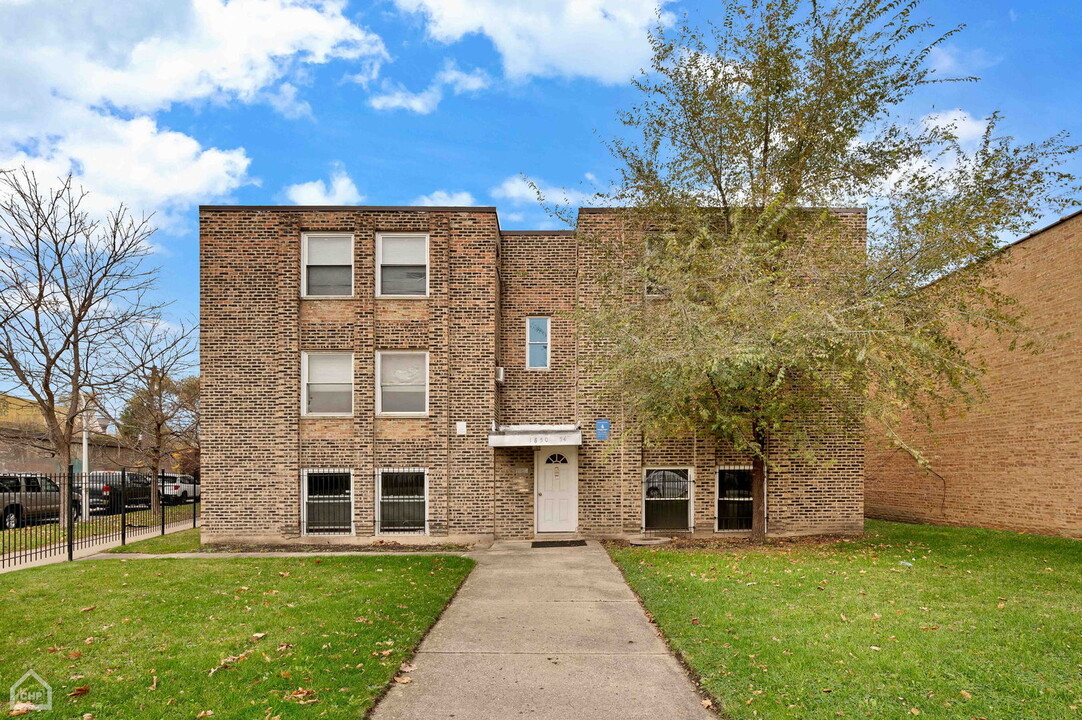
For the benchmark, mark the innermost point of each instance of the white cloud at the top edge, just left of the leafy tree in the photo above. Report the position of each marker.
(600, 40)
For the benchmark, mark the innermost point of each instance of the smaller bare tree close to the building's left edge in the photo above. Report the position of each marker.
(161, 417)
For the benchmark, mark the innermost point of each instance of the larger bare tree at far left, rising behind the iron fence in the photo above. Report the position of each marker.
(73, 289)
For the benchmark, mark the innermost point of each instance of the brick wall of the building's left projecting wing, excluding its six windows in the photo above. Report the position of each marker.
(256, 325)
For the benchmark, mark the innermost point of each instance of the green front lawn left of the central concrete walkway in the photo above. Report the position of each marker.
(285, 637)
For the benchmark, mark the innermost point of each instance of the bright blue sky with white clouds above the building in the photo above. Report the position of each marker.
(170, 104)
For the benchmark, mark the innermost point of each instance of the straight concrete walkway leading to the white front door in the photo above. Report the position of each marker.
(544, 634)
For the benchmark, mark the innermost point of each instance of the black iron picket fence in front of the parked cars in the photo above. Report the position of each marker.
(44, 516)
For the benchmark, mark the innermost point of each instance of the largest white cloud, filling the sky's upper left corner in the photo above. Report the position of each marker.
(82, 85)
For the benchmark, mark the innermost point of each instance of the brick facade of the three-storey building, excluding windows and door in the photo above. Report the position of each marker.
(483, 286)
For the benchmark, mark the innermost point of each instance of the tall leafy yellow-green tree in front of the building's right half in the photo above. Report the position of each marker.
(767, 319)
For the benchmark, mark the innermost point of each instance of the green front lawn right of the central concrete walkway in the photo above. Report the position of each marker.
(982, 624)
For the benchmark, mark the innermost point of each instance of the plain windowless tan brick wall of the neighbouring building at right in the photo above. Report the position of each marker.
(1015, 461)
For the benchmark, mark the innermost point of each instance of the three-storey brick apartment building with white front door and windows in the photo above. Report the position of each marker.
(414, 372)
